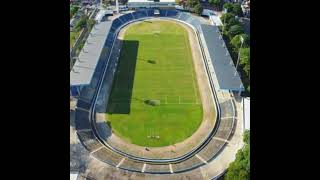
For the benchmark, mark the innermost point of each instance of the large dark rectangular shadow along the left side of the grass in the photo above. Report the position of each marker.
(120, 97)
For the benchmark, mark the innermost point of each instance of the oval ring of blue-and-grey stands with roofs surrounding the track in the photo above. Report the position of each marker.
(91, 81)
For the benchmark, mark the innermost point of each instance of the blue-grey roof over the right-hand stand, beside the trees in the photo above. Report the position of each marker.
(224, 69)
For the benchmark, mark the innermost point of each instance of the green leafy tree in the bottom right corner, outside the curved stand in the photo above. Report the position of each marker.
(240, 168)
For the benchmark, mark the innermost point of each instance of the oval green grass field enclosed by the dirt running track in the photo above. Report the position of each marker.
(155, 65)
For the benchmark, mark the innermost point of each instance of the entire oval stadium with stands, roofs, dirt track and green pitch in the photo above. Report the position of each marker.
(160, 96)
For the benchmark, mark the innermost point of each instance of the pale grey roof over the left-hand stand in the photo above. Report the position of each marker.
(85, 66)
